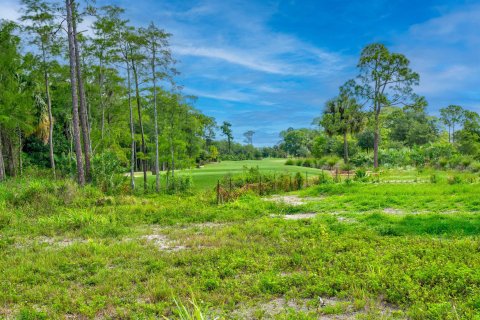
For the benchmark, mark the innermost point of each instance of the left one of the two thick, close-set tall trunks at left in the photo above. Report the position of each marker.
(73, 80)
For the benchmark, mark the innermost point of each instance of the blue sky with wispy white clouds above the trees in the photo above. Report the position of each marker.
(267, 65)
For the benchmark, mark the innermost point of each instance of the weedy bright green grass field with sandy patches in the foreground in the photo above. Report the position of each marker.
(388, 250)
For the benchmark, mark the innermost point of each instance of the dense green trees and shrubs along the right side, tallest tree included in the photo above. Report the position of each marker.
(377, 119)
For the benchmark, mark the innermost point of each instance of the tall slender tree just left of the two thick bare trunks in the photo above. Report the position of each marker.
(41, 19)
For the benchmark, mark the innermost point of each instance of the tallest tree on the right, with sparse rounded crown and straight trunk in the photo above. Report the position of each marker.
(385, 80)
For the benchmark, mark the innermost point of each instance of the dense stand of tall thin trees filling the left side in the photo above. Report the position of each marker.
(93, 104)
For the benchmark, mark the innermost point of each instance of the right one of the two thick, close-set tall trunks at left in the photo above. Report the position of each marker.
(81, 93)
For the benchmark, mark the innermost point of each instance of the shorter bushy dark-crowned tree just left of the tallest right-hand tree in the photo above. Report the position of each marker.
(343, 115)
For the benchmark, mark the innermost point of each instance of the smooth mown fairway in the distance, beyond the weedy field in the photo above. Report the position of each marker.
(207, 177)
